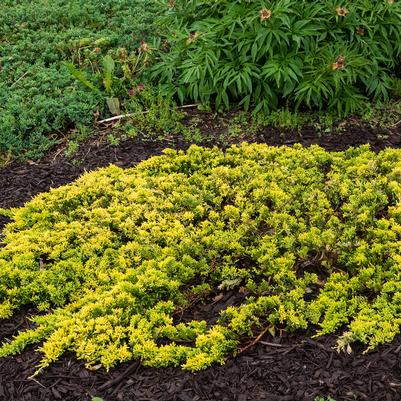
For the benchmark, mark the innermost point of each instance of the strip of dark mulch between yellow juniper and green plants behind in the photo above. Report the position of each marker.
(20, 181)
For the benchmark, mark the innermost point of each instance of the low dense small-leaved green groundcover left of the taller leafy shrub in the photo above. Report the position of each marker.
(39, 98)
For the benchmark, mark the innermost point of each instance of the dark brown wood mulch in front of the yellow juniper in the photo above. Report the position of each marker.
(295, 369)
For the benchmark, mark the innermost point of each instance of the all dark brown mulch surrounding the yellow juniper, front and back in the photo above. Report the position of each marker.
(287, 367)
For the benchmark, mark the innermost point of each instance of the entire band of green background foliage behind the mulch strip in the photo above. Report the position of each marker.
(65, 63)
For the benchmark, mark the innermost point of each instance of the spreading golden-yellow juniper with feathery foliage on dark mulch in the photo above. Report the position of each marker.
(115, 258)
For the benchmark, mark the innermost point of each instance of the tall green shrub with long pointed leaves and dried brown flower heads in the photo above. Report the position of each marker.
(320, 54)
